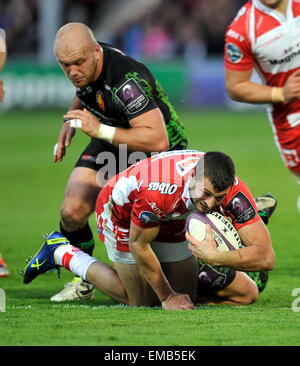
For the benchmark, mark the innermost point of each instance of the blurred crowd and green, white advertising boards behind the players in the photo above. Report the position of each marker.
(181, 41)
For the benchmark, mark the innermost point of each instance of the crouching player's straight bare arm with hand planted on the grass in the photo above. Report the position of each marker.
(139, 243)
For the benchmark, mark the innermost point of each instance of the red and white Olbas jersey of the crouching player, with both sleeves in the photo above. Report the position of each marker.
(155, 192)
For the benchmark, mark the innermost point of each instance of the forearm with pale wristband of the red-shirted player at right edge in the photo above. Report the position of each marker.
(250, 92)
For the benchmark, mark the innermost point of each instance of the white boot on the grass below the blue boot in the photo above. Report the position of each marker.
(78, 289)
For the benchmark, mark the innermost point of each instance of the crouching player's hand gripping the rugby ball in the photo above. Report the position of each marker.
(204, 250)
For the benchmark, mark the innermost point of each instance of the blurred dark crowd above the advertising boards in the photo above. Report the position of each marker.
(146, 29)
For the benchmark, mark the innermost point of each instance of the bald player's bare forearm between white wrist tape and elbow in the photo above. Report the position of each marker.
(141, 139)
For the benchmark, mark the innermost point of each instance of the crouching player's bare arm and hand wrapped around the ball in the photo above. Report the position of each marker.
(257, 255)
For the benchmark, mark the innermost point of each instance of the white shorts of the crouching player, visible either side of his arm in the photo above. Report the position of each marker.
(165, 252)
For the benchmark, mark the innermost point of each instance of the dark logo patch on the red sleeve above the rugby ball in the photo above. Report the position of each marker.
(241, 208)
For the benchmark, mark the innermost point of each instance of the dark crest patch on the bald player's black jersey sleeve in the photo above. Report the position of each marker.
(132, 96)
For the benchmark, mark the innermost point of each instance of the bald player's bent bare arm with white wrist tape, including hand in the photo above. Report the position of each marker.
(148, 132)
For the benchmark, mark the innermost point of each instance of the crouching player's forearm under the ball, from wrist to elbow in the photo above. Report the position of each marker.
(251, 258)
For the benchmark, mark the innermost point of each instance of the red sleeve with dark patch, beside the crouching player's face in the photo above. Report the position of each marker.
(239, 204)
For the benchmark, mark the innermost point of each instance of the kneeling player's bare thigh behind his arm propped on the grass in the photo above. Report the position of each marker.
(138, 290)
